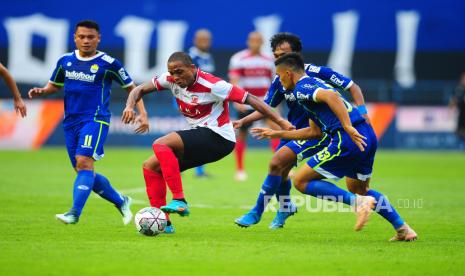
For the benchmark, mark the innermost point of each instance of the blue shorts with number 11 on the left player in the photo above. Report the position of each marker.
(86, 139)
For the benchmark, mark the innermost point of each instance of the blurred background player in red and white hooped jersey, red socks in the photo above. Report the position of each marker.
(253, 71)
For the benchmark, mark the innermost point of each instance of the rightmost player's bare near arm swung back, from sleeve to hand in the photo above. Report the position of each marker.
(337, 106)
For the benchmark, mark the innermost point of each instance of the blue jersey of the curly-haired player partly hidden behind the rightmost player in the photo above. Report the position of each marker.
(297, 115)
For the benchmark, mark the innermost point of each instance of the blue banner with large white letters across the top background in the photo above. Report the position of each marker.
(404, 41)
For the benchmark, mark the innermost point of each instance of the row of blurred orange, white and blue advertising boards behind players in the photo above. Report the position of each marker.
(397, 126)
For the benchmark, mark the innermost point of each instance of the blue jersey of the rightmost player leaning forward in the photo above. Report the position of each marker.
(305, 91)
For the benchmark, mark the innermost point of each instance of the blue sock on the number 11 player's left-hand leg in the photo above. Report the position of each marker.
(82, 187)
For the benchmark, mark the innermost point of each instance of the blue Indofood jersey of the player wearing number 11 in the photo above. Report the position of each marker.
(87, 85)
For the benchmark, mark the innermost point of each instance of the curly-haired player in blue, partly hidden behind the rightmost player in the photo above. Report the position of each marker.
(289, 152)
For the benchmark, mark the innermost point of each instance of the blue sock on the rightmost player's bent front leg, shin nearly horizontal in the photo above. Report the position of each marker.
(329, 191)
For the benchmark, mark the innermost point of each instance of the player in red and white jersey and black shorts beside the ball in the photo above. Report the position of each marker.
(203, 100)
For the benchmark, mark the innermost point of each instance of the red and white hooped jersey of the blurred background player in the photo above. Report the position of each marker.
(255, 72)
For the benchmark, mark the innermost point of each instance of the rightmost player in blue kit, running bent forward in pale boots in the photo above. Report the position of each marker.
(350, 153)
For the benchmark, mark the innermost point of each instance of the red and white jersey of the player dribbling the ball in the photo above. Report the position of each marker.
(206, 102)
